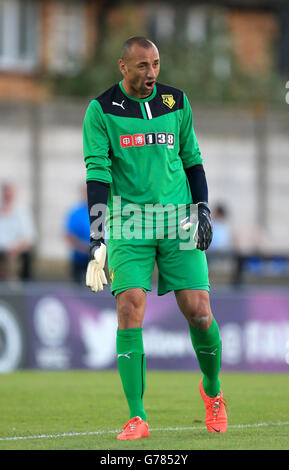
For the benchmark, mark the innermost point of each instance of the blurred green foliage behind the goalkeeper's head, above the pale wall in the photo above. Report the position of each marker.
(189, 68)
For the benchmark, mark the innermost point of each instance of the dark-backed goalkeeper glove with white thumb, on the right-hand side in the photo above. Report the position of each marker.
(204, 228)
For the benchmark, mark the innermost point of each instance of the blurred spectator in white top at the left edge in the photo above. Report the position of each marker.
(17, 237)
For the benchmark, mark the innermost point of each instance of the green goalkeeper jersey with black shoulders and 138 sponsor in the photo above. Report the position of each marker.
(141, 146)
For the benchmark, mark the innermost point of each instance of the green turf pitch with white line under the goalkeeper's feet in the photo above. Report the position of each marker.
(49, 403)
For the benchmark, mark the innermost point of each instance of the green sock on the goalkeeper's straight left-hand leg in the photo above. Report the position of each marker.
(131, 365)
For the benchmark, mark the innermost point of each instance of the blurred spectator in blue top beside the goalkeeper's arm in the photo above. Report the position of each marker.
(77, 235)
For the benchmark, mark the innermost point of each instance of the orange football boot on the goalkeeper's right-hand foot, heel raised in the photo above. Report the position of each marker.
(216, 416)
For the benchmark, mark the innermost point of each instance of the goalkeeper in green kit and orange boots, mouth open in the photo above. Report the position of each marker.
(140, 146)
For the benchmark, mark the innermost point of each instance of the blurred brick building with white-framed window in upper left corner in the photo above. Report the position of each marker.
(38, 37)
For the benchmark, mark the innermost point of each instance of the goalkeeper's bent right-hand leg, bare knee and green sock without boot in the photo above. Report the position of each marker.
(205, 336)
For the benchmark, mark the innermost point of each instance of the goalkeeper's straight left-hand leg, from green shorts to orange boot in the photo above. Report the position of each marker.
(131, 264)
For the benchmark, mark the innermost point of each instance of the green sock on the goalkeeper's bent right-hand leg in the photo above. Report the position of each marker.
(207, 345)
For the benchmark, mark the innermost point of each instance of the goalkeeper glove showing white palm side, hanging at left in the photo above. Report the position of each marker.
(95, 276)
